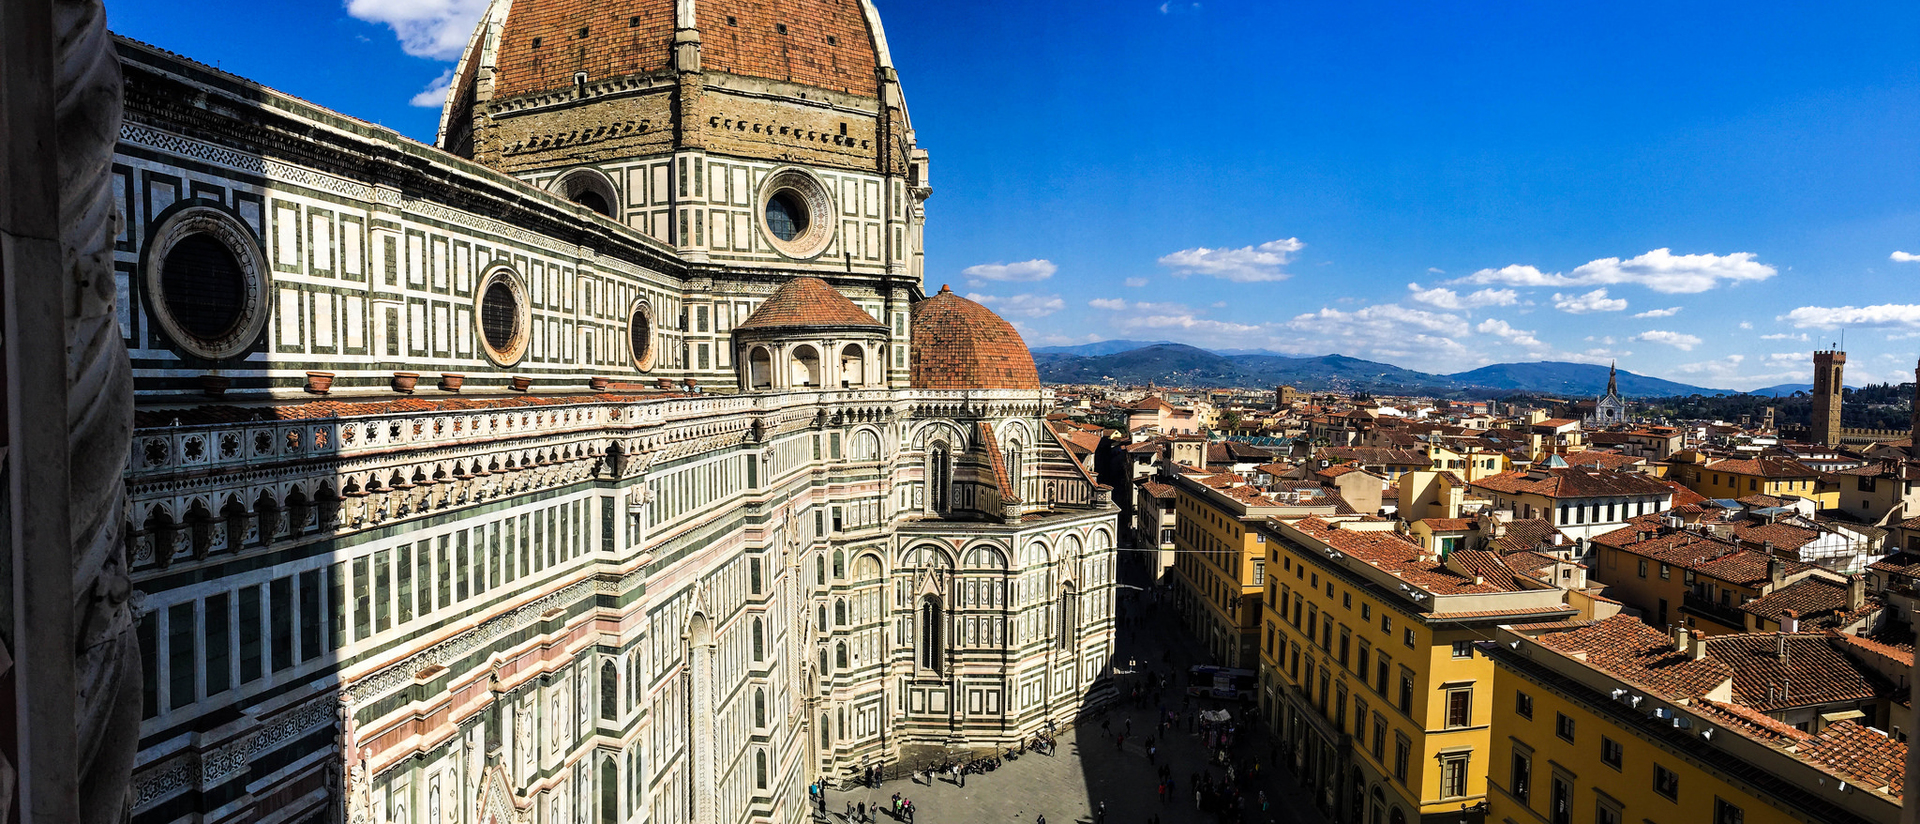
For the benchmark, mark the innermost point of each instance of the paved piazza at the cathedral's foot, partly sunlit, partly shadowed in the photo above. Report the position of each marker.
(1088, 769)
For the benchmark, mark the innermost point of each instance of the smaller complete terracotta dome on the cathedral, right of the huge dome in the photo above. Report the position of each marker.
(961, 345)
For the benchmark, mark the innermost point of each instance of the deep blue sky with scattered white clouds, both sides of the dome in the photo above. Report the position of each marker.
(1702, 191)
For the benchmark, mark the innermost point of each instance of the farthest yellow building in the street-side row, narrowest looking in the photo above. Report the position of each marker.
(1220, 558)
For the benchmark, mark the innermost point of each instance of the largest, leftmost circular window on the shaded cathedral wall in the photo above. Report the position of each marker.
(206, 283)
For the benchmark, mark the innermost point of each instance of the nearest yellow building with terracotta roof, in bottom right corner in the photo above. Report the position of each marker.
(1618, 723)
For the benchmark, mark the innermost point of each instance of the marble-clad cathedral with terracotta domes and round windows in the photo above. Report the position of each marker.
(606, 462)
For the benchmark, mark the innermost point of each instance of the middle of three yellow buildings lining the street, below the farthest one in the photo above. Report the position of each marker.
(1370, 675)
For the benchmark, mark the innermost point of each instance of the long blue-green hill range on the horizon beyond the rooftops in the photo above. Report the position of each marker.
(1189, 366)
